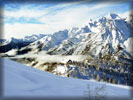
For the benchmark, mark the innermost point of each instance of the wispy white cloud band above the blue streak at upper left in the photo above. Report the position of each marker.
(35, 10)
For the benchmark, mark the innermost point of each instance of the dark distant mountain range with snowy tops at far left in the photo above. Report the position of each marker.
(14, 43)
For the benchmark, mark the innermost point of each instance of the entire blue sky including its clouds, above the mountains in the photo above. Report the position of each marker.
(22, 19)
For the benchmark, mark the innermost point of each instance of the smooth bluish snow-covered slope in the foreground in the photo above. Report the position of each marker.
(23, 81)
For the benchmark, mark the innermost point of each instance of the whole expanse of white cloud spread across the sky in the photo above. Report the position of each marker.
(54, 17)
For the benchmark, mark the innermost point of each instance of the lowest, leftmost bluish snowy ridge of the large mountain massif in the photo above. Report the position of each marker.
(50, 41)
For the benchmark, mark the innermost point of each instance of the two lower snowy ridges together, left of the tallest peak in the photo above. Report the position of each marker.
(60, 40)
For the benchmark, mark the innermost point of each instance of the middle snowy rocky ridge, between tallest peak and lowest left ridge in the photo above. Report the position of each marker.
(75, 36)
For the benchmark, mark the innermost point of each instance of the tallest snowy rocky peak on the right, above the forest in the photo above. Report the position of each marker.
(109, 33)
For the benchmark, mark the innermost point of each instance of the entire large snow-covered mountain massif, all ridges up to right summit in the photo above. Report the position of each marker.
(108, 35)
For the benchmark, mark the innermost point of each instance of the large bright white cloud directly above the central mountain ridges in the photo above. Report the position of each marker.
(73, 17)
